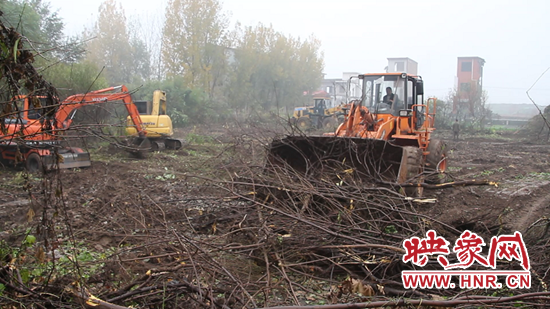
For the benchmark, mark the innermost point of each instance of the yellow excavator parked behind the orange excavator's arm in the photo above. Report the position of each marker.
(156, 122)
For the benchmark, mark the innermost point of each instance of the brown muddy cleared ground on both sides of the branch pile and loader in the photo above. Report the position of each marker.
(132, 216)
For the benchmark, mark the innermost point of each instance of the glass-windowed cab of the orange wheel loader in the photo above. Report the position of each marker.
(405, 89)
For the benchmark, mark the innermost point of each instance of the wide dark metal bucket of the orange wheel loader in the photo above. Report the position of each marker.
(333, 158)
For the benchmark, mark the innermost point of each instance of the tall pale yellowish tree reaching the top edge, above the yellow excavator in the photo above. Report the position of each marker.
(194, 43)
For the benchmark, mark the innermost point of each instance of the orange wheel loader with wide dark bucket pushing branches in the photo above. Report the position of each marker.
(386, 136)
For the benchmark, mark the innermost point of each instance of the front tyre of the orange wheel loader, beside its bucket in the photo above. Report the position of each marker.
(411, 171)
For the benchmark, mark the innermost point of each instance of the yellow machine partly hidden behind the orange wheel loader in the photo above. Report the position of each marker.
(318, 116)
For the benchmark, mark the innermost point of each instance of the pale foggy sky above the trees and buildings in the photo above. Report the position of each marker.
(359, 36)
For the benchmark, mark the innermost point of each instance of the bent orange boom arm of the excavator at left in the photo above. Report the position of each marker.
(64, 115)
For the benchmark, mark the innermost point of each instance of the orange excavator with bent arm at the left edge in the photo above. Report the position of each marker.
(33, 127)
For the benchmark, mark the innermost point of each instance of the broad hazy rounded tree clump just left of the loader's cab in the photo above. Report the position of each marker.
(271, 70)
